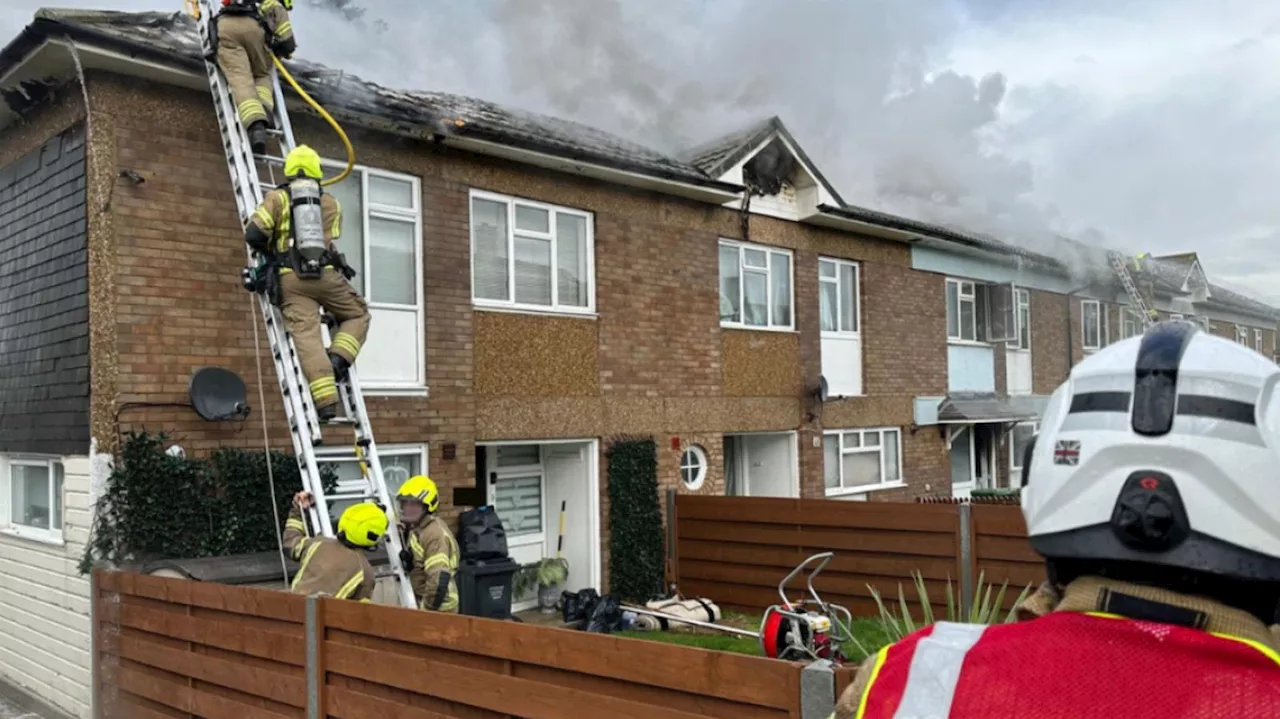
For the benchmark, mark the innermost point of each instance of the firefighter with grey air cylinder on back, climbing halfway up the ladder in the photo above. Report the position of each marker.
(298, 225)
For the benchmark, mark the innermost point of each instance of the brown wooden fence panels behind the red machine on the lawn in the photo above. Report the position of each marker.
(735, 551)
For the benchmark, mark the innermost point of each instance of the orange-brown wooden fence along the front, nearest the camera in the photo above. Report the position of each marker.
(175, 648)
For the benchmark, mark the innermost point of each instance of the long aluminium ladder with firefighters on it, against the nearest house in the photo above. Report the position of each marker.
(299, 406)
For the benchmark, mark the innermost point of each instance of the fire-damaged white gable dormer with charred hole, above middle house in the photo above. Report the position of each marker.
(770, 163)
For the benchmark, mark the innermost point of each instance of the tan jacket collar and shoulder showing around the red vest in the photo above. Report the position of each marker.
(1087, 596)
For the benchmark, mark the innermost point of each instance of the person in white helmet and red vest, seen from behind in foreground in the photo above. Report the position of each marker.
(1151, 493)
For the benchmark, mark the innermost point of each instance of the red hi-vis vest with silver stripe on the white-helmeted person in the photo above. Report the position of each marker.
(1071, 666)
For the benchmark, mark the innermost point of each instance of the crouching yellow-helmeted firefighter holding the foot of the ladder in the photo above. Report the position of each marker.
(337, 567)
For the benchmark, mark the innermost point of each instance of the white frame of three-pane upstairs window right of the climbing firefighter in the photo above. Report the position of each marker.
(524, 308)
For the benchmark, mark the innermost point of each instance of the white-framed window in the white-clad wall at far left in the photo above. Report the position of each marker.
(33, 497)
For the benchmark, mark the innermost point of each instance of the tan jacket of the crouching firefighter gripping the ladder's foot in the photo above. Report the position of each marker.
(327, 565)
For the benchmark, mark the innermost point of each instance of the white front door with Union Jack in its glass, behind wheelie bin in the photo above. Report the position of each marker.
(518, 484)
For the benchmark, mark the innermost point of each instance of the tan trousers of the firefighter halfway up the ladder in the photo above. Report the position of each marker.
(301, 301)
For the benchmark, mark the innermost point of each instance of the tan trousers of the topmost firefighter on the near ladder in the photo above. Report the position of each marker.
(246, 61)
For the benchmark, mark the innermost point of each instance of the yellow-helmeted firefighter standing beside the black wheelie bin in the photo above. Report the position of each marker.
(432, 552)
